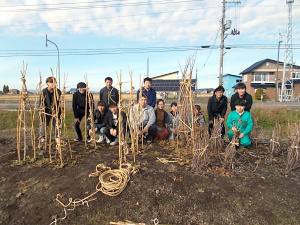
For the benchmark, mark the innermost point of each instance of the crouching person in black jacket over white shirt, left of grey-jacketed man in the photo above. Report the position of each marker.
(111, 124)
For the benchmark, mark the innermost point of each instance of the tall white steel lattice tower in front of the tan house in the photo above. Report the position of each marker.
(287, 78)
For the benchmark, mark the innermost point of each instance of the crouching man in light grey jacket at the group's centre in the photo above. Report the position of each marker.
(143, 116)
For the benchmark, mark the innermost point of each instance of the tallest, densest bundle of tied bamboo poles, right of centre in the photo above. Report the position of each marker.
(186, 132)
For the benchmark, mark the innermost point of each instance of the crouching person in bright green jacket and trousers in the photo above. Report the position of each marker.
(240, 121)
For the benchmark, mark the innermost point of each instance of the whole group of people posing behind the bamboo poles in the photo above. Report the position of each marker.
(148, 123)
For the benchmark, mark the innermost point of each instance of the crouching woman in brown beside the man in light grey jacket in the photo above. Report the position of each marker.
(162, 118)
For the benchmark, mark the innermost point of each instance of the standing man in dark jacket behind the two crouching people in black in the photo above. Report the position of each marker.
(109, 94)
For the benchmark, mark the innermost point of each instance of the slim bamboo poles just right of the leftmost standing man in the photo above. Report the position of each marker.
(64, 137)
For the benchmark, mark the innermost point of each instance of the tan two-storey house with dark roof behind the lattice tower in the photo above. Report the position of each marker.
(262, 74)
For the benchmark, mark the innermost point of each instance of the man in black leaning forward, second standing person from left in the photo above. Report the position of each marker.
(80, 106)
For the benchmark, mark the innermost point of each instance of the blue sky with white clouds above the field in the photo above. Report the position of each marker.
(97, 39)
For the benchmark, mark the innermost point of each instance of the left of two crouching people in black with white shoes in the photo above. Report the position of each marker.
(99, 121)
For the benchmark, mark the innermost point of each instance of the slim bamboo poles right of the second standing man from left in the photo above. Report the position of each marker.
(89, 101)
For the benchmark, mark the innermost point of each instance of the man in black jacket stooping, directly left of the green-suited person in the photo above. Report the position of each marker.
(216, 108)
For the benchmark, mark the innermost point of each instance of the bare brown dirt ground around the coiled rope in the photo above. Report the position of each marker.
(256, 192)
